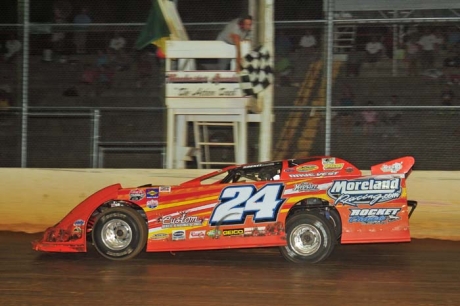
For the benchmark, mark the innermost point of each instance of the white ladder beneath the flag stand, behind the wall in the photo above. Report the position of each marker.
(203, 143)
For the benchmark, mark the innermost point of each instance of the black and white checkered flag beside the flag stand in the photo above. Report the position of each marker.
(256, 73)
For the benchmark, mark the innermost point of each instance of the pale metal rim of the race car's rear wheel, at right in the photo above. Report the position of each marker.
(305, 239)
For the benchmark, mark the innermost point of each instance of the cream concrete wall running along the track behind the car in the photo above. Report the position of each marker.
(33, 199)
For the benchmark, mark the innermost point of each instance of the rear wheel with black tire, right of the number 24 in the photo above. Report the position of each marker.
(310, 238)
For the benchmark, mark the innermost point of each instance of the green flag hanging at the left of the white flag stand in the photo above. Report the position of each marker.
(155, 31)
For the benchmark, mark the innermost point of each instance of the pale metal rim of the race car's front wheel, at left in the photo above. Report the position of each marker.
(116, 234)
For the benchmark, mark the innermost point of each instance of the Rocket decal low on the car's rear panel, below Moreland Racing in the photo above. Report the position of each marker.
(374, 215)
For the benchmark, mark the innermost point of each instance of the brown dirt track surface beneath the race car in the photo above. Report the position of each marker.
(422, 272)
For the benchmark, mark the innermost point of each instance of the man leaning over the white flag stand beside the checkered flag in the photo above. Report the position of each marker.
(234, 33)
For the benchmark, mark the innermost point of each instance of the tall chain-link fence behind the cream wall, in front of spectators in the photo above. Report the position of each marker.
(75, 93)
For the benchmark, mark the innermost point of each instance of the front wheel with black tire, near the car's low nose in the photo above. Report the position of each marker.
(119, 233)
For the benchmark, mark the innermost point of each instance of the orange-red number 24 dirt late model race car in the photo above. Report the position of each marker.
(303, 206)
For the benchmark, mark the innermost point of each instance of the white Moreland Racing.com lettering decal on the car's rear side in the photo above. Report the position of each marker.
(369, 191)
